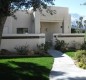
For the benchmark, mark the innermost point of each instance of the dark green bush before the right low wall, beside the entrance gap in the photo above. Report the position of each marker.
(61, 45)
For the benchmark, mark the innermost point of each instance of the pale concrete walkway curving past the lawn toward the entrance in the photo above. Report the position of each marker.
(64, 68)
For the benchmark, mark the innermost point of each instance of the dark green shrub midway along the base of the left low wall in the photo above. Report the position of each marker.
(22, 50)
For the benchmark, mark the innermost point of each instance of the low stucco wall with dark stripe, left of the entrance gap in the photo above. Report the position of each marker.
(10, 41)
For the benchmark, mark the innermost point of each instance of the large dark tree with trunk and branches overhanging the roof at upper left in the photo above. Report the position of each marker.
(8, 7)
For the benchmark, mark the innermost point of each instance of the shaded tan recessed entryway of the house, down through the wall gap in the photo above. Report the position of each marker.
(49, 28)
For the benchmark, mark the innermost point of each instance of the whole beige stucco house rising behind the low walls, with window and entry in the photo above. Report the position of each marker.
(35, 23)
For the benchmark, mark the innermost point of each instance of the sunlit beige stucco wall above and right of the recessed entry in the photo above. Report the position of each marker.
(61, 16)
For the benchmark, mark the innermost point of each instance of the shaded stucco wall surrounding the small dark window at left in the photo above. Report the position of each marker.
(24, 20)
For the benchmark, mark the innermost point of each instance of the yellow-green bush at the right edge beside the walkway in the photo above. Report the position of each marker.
(80, 56)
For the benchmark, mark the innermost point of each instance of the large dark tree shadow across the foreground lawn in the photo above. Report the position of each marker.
(23, 71)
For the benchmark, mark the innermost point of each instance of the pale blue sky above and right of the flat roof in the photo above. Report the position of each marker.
(73, 5)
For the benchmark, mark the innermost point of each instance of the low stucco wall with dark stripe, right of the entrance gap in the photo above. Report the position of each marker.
(71, 39)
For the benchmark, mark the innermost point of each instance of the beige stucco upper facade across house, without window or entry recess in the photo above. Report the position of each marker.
(32, 20)
